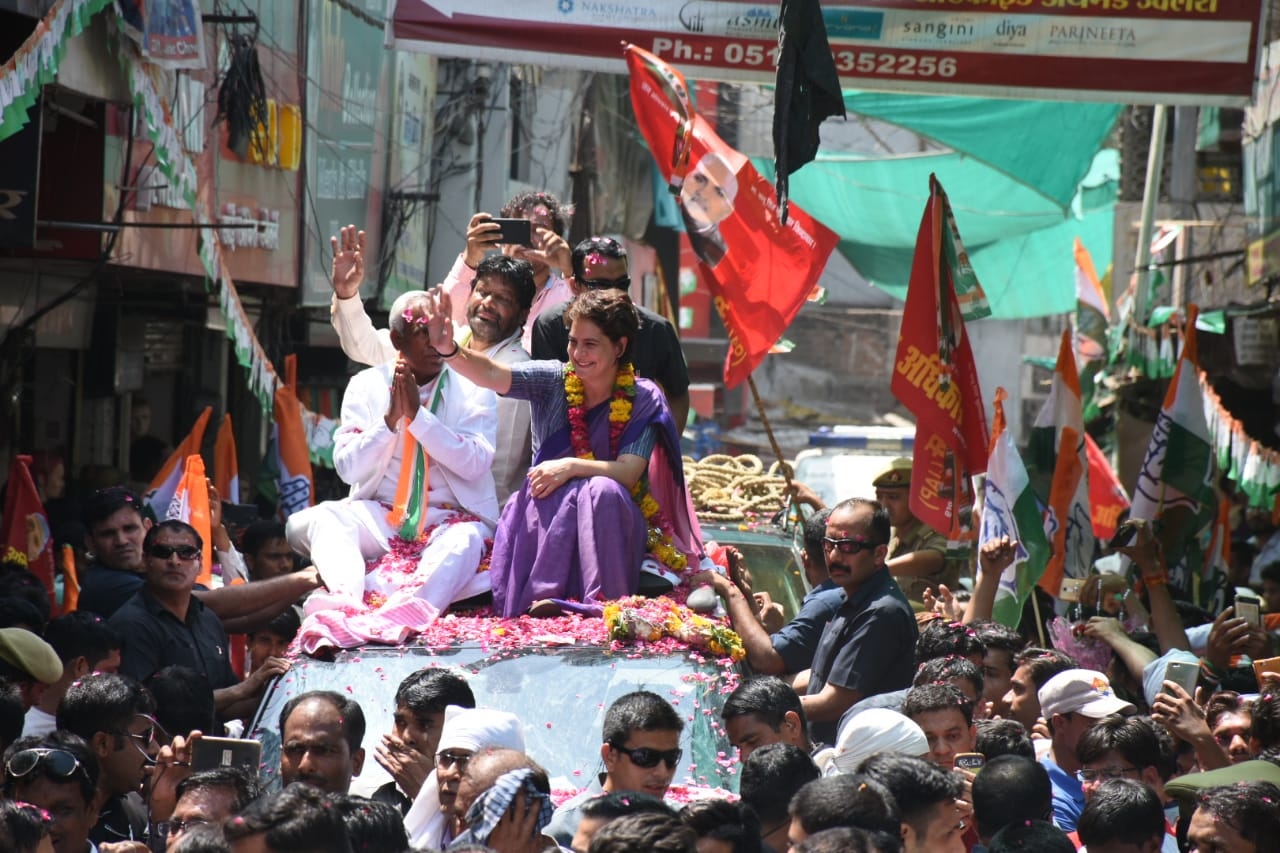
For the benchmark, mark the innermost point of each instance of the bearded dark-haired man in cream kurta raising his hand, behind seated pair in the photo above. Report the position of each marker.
(499, 298)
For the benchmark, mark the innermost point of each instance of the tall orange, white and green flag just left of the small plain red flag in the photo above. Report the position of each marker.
(1058, 445)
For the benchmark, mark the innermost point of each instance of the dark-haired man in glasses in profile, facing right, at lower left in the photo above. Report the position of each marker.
(113, 714)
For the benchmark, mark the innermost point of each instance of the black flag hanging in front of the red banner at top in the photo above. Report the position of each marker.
(807, 90)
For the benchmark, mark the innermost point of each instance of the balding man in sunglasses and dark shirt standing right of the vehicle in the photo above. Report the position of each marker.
(870, 646)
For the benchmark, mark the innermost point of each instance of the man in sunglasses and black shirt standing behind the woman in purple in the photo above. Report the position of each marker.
(601, 263)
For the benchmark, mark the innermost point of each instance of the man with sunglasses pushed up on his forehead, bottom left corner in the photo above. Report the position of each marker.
(60, 774)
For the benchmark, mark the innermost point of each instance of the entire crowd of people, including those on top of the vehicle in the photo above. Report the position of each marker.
(515, 443)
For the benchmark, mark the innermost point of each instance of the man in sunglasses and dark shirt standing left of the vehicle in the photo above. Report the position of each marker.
(164, 624)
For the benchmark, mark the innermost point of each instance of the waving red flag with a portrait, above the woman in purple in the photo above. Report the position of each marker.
(758, 271)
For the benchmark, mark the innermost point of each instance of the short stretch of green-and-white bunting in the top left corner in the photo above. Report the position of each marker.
(36, 62)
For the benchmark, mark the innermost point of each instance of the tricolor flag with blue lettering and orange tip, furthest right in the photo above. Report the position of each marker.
(1176, 485)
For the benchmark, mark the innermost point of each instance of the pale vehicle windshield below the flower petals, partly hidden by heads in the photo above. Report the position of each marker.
(559, 692)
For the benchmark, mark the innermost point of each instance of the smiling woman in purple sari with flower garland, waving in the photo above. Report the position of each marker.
(607, 485)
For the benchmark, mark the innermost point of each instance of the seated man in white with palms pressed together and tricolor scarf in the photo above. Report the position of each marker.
(417, 448)
